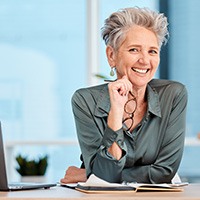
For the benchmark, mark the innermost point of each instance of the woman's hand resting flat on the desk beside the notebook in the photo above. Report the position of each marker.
(74, 175)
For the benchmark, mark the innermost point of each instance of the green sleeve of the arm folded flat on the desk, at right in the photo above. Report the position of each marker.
(168, 160)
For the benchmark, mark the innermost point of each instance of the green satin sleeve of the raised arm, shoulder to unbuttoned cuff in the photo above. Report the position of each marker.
(94, 143)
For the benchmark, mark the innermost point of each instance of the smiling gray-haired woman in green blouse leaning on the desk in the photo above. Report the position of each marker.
(132, 129)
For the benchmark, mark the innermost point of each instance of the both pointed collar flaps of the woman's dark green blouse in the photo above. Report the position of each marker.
(103, 102)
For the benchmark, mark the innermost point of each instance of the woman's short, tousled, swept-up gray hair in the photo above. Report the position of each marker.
(116, 26)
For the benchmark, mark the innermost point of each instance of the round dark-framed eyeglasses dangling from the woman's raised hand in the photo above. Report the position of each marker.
(130, 110)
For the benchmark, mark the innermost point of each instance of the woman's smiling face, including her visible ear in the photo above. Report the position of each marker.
(138, 56)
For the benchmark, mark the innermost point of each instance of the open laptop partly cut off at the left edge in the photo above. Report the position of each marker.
(5, 186)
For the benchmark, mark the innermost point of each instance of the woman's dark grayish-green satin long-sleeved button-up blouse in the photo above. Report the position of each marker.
(152, 152)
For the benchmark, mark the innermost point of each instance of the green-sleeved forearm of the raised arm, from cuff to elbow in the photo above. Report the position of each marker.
(104, 164)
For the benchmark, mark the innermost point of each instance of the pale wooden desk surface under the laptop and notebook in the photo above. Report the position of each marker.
(59, 193)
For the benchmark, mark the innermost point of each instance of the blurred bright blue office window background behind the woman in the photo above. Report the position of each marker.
(50, 48)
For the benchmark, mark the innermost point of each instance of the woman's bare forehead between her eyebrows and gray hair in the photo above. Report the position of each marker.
(138, 35)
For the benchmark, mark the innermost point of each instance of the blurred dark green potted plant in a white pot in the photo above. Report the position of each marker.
(32, 169)
